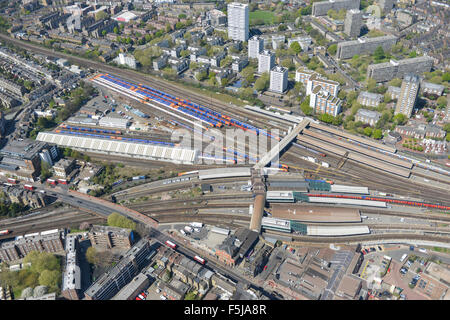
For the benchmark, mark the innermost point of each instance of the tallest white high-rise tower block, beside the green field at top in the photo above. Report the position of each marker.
(238, 21)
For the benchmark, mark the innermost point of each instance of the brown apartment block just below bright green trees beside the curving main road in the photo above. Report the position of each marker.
(111, 237)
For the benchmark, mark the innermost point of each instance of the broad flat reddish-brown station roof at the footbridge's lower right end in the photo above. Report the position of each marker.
(300, 212)
